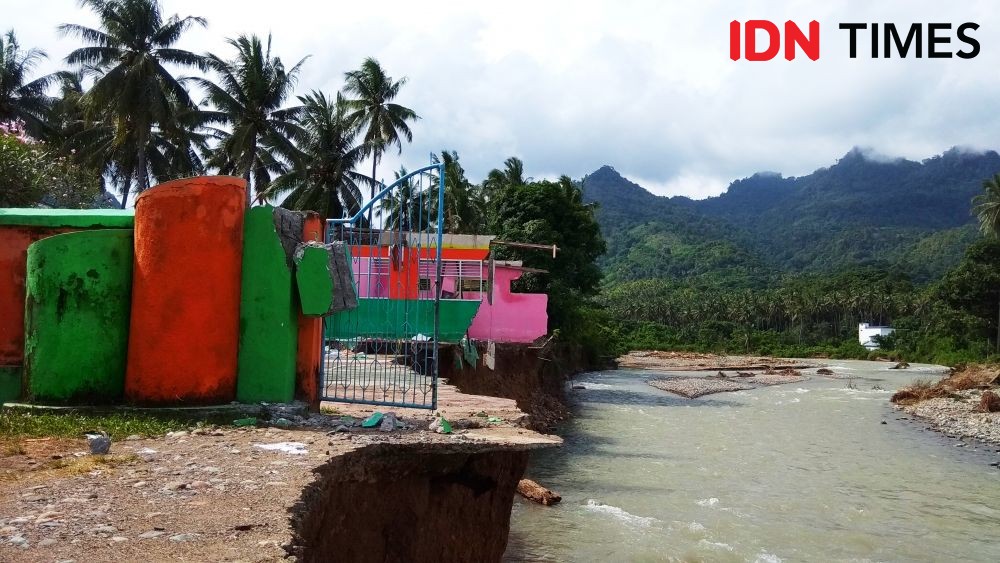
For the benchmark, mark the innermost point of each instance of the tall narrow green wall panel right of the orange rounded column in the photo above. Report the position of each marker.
(268, 318)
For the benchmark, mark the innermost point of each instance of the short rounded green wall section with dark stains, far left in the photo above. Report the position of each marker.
(76, 317)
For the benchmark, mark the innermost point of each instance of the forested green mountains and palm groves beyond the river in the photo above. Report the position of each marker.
(725, 275)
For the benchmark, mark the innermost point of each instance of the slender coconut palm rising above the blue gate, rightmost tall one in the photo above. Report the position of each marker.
(373, 110)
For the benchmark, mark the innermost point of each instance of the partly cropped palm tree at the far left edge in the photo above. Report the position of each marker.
(21, 100)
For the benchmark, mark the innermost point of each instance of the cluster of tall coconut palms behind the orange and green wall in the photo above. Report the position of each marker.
(123, 116)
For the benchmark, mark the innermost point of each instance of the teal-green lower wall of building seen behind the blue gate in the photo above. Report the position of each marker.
(402, 318)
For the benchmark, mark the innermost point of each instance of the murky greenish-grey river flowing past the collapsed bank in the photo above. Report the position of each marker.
(797, 472)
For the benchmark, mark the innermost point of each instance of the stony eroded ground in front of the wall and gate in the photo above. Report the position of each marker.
(209, 494)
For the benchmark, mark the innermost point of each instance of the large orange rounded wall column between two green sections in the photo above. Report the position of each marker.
(184, 331)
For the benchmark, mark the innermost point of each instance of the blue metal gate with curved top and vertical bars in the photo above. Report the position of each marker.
(385, 352)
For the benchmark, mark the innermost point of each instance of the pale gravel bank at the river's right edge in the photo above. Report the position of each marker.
(958, 417)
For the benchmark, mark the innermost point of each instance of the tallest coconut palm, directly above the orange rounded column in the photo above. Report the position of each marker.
(135, 108)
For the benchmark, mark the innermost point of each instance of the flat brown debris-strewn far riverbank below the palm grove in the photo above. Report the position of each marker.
(693, 361)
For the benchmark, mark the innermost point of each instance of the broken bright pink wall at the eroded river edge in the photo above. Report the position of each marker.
(513, 317)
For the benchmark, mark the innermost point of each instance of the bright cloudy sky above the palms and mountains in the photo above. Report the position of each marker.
(644, 86)
